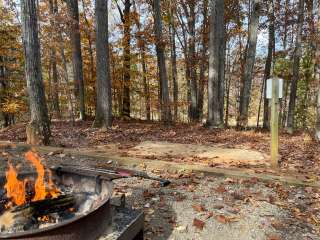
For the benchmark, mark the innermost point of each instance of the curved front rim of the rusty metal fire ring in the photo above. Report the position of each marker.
(55, 226)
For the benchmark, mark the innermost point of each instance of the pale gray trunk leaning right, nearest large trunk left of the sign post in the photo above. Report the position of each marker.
(249, 65)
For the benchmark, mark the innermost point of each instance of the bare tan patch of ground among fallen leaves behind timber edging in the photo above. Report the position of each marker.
(228, 156)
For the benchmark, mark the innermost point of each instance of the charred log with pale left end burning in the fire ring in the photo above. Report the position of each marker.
(20, 217)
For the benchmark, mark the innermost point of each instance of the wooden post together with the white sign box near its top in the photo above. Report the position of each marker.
(274, 92)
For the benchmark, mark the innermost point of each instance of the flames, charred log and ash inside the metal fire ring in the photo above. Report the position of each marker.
(29, 203)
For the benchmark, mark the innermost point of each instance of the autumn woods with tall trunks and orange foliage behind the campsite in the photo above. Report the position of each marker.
(171, 61)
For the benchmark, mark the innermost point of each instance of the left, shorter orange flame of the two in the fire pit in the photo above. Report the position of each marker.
(15, 188)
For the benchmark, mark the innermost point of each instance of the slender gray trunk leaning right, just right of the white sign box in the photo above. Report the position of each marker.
(295, 69)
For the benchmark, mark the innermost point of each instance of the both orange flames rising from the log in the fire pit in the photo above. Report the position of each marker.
(16, 189)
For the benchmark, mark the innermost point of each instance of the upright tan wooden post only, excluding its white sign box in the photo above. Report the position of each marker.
(275, 122)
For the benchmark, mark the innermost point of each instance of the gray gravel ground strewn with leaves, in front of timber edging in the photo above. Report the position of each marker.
(198, 207)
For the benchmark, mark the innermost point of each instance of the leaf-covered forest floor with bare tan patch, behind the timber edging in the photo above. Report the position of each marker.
(188, 144)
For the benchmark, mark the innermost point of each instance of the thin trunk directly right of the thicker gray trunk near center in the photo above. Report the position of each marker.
(174, 63)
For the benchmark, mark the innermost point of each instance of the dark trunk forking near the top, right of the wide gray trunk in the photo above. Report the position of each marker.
(126, 21)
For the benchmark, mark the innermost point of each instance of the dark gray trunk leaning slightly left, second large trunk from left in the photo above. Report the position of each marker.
(77, 55)
